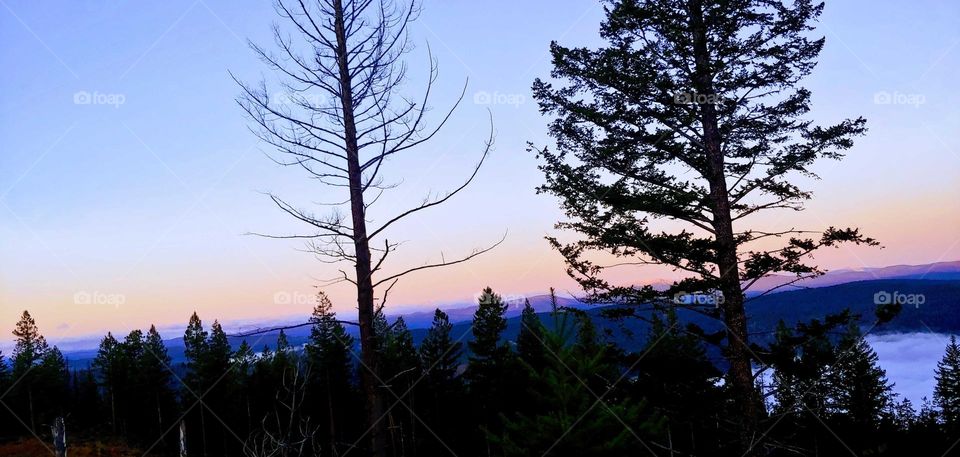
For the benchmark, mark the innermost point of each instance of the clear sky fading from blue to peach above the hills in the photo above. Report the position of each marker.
(129, 180)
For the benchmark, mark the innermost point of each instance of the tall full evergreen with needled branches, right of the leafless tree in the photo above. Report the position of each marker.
(692, 112)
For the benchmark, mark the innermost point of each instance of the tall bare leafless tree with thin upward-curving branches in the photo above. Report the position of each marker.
(338, 118)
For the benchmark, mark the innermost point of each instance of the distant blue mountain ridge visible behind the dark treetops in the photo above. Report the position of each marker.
(806, 299)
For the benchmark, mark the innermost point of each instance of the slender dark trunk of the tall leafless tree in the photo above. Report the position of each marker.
(364, 282)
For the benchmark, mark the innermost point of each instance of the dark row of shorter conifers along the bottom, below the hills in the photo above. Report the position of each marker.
(561, 387)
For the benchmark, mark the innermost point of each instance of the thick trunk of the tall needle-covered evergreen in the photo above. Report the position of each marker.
(737, 352)
